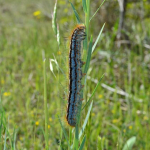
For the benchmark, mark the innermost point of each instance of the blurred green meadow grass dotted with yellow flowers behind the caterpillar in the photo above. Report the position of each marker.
(115, 117)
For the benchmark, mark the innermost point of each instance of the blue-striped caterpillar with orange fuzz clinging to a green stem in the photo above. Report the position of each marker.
(75, 74)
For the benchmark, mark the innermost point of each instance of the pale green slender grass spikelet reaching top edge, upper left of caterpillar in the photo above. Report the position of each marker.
(54, 24)
